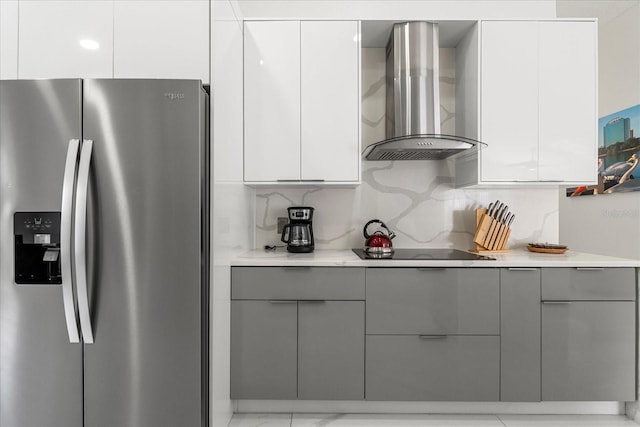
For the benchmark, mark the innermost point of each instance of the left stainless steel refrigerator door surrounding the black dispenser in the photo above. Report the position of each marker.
(40, 371)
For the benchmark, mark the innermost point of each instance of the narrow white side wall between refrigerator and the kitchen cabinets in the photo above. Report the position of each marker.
(232, 203)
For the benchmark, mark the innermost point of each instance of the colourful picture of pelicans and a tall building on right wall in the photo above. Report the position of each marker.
(618, 154)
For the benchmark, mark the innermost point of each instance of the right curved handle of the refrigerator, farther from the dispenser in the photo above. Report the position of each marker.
(80, 235)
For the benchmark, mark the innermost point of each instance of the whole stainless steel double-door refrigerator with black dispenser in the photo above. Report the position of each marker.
(104, 253)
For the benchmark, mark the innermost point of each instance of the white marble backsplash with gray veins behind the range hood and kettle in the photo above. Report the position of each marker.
(415, 199)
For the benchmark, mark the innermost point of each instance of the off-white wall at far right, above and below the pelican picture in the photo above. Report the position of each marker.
(608, 224)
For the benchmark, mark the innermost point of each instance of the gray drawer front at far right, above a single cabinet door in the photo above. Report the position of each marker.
(588, 284)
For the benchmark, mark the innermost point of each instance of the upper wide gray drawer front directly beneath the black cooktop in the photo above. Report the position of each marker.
(464, 301)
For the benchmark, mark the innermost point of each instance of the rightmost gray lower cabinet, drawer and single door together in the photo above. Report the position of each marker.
(588, 334)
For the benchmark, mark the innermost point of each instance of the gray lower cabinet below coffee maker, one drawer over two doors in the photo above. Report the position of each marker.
(292, 337)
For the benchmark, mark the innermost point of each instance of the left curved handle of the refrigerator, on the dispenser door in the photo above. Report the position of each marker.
(66, 241)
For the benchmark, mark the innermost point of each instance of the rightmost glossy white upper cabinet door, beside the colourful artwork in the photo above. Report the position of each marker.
(567, 102)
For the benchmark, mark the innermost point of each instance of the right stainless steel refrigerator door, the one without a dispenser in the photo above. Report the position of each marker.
(144, 368)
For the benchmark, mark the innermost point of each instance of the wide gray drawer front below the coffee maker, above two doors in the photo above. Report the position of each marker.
(301, 283)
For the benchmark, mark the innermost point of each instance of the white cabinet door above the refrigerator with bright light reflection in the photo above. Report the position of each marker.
(65, 39)
